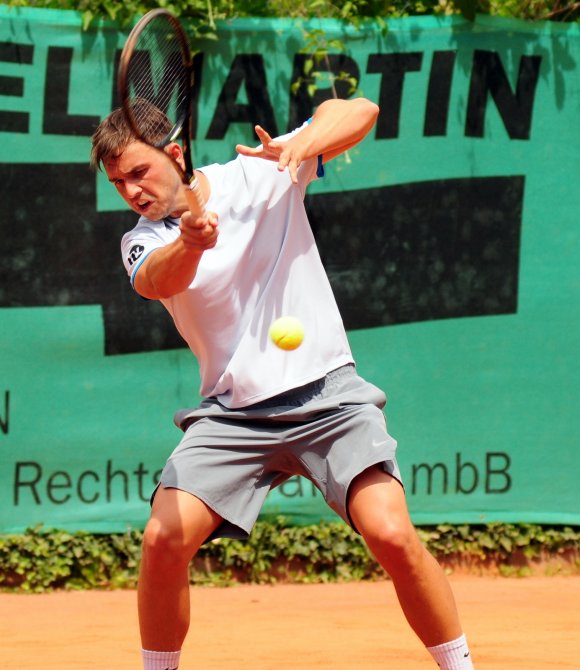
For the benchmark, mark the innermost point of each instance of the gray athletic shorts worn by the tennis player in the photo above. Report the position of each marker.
(328, 431)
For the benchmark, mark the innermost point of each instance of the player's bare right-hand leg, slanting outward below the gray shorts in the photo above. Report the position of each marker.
(378, 509)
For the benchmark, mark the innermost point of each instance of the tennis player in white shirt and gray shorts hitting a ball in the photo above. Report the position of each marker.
(267, 414)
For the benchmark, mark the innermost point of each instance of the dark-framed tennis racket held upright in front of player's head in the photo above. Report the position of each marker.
(155, 81)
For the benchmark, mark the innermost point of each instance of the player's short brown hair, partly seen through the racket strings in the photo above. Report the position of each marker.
(114, 133)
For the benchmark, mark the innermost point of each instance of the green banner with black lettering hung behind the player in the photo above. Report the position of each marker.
(450, 235)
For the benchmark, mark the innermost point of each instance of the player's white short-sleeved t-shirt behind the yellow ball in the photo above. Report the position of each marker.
(265, 265)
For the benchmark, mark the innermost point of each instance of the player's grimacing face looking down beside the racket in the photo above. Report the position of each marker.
(147, 181)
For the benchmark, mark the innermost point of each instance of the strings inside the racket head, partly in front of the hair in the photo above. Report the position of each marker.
(158, 84)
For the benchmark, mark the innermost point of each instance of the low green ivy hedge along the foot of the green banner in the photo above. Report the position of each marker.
(42, 560)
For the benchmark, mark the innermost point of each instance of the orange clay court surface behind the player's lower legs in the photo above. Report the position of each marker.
(530, 623)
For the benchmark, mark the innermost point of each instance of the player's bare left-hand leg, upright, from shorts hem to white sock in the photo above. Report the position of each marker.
(178, 526)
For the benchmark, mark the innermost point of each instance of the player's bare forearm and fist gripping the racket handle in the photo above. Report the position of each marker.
(169, 270)
